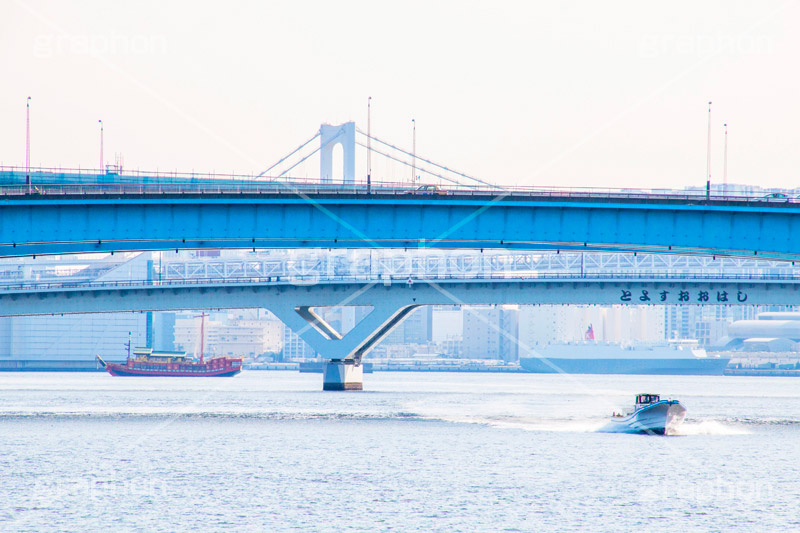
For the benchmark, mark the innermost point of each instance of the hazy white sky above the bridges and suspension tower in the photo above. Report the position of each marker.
(582, 93)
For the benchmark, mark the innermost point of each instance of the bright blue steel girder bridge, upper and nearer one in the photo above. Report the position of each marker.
(56, 219)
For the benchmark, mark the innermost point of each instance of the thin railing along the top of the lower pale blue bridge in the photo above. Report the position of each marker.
(407, 280)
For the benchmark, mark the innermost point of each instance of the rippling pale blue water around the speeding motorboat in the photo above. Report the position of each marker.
(441, 452)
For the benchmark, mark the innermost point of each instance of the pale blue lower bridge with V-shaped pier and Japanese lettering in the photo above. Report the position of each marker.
(297, 302)
